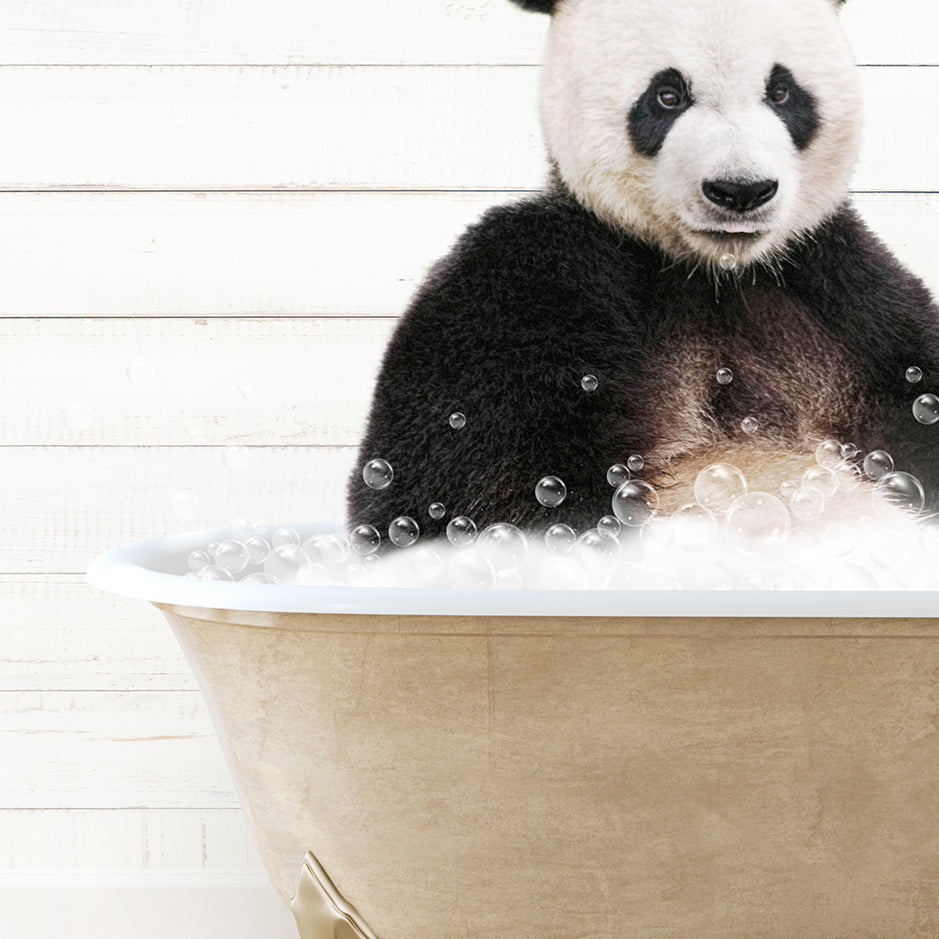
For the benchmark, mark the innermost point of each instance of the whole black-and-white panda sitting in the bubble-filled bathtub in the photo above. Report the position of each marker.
(692, 286)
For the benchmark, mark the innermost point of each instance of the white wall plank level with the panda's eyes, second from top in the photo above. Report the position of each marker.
(426, 127)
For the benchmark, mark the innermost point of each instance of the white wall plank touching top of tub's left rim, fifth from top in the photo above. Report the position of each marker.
(63, 505)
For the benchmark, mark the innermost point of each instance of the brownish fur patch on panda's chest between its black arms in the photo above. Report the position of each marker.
(756, 368)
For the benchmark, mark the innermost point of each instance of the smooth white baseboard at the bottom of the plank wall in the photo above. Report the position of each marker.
(161, 905)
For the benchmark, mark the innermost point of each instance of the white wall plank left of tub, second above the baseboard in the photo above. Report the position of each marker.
(110, 750)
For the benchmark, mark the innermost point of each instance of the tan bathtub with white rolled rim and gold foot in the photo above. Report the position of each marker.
(447, 764)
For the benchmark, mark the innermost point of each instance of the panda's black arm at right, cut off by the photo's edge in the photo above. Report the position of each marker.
(887, 319)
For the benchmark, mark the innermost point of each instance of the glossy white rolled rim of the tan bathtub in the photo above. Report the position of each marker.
(143, 570)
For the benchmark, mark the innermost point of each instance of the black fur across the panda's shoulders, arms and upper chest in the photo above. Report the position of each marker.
(540, 293)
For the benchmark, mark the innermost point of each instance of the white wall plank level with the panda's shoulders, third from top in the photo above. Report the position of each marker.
(277, 254)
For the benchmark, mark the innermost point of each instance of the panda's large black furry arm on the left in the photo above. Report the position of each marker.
(503, 332)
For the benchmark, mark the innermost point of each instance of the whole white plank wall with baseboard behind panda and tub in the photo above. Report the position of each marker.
(210, 215)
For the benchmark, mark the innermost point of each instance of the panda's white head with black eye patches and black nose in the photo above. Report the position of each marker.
(706, 127)
